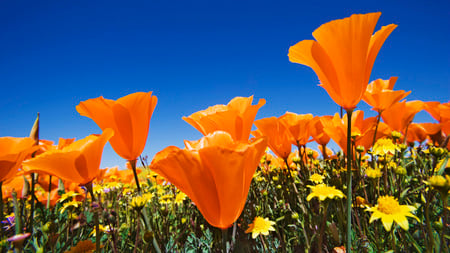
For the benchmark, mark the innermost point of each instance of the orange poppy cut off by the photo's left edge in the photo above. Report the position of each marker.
(12, 152)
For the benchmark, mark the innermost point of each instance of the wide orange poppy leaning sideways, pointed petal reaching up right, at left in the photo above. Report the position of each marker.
(78, 162)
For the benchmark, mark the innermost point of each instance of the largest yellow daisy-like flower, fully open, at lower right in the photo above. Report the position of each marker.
(389, 210)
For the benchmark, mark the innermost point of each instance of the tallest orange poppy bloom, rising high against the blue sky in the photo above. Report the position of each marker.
(343, 55)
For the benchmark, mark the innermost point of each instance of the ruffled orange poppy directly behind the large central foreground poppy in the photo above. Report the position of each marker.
(236, 118)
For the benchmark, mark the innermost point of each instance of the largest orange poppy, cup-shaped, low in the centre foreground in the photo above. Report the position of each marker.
(215, 172)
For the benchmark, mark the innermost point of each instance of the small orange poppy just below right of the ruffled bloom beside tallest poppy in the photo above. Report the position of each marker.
(401, 114)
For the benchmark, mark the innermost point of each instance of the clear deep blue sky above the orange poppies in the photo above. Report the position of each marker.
(194, 54)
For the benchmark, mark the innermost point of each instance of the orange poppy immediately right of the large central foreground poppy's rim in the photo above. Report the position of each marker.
(278, 136)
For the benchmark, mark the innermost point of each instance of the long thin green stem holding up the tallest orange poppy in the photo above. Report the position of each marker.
(349, 180)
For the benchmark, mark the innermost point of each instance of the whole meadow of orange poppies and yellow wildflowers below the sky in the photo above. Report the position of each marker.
(247, 185)
